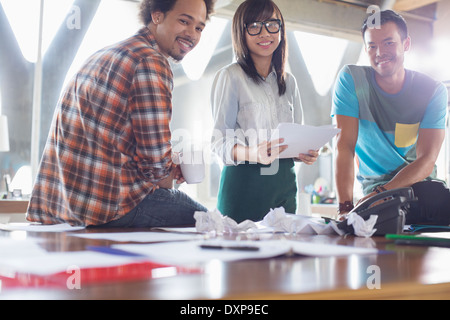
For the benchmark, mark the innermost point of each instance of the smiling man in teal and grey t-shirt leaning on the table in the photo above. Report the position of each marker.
(393, 120)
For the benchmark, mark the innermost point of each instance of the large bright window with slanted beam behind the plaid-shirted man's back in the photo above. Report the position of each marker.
(36, 58)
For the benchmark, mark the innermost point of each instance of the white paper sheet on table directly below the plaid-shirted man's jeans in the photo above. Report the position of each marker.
(138, 236)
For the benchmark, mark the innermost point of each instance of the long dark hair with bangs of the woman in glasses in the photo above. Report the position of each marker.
(259, 10)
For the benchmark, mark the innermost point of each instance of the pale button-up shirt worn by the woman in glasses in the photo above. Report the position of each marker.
(246, 112)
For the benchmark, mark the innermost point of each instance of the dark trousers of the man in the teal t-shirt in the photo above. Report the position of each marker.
(433, 205)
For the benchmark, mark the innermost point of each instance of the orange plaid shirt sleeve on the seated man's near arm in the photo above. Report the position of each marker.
(150, 117)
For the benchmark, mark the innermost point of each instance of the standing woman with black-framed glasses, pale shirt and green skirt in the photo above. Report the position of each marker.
(249, 99)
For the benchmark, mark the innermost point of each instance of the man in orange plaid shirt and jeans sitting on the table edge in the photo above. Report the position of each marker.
(108, 157)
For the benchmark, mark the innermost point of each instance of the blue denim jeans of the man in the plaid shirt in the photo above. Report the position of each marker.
(162, 208)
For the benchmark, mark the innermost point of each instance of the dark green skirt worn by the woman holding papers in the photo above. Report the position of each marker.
(247, 194)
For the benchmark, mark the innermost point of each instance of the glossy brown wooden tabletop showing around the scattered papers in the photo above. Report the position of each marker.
(405, 272)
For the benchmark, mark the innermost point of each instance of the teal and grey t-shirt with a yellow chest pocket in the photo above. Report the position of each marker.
(388, 123)
